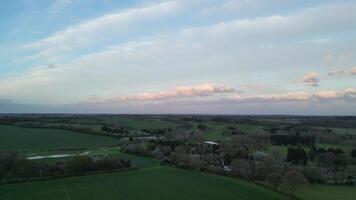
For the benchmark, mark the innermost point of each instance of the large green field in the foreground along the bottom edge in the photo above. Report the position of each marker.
(151, 183)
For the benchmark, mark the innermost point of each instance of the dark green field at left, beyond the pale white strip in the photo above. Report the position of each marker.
(17, 138)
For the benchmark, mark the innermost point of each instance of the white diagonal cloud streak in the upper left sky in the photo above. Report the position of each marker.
(100, 29)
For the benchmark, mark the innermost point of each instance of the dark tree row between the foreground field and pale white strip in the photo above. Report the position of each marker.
(14, 168)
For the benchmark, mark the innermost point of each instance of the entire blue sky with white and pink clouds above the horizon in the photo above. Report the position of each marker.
(178, 56)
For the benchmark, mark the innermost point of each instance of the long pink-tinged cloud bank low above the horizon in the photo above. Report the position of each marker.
(186, 93)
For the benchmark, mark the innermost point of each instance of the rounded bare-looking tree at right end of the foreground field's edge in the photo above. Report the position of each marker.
(292, 180)
